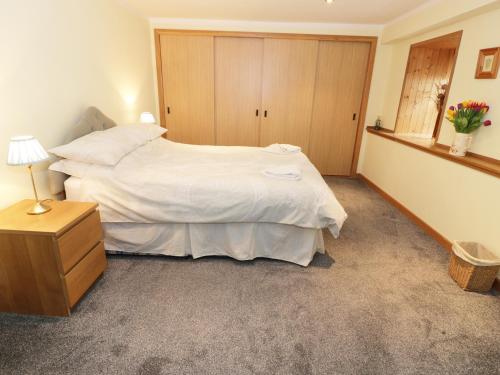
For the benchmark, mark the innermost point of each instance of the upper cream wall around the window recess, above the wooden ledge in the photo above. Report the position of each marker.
(478, 32)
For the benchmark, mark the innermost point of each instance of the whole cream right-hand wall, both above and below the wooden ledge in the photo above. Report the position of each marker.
(457, 201)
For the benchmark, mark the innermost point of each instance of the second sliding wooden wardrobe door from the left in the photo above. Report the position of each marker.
(238, 86)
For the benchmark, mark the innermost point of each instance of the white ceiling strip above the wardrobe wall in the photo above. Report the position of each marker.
(341, 11)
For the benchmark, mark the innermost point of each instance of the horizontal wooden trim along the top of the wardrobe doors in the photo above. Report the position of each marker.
(245, 34)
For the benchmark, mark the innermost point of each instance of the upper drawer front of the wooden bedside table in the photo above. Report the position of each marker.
(79, 240)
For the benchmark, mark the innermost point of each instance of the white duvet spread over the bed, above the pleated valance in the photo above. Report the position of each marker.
(168, 182)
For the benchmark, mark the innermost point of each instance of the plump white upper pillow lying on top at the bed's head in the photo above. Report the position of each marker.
(108, 147)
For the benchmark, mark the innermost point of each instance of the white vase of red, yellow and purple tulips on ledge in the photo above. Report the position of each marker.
(466, 117)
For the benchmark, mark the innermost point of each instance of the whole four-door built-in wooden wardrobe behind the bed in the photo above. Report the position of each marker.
(251, 89)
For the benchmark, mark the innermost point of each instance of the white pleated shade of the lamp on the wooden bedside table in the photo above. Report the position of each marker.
(25, 150)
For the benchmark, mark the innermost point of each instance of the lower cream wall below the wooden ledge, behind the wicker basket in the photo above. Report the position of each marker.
(460, 203)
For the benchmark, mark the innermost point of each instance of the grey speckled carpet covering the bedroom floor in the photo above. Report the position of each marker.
(380, 303)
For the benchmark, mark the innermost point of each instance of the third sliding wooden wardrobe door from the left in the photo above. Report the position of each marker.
(288, 86)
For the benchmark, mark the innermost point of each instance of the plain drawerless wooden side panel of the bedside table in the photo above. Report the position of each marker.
(30, 281)
